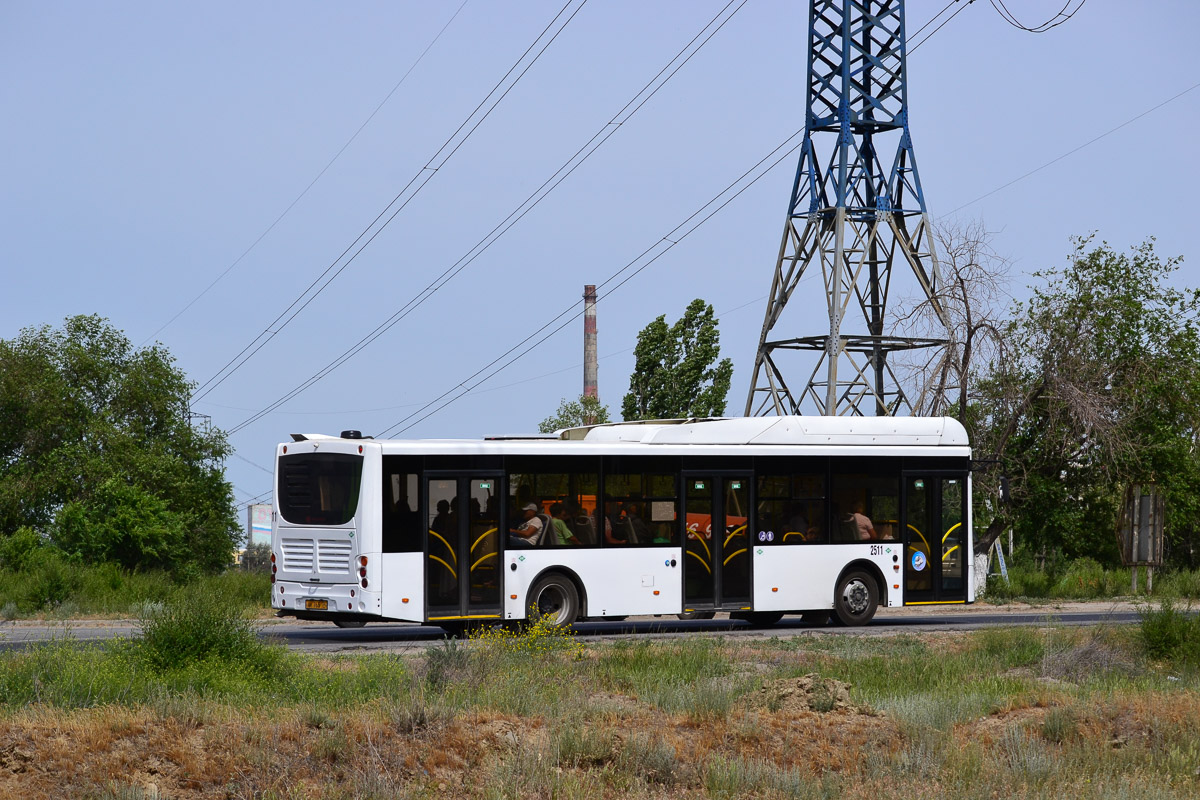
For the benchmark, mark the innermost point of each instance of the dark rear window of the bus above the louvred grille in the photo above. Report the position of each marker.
(320, 489)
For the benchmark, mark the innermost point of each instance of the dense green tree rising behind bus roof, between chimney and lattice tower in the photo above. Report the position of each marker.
(676, 371)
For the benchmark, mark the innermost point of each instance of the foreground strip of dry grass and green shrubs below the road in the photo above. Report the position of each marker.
(201, 707)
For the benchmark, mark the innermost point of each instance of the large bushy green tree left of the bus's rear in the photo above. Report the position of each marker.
(99, 456)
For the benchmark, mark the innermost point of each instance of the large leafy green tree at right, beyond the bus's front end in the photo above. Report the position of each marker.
(1099, 386)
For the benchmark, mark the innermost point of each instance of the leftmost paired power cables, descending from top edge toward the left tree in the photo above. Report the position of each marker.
(419, 179)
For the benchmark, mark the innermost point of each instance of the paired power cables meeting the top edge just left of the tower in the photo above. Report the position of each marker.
(644, 97)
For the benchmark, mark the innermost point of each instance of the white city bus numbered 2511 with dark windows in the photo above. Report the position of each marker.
(758, 518)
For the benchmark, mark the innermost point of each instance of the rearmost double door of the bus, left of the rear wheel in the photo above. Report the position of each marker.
(463, 566)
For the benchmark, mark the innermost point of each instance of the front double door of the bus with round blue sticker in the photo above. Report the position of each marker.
(935, 538)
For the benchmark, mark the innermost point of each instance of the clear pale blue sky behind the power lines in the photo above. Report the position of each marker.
(147, 146)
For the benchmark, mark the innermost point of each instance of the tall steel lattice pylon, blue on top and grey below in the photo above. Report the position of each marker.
(854, 215)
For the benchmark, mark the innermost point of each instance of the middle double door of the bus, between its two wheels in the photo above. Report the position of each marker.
(717, 544)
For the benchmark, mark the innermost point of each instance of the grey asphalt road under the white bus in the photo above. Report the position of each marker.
(325, 637)
